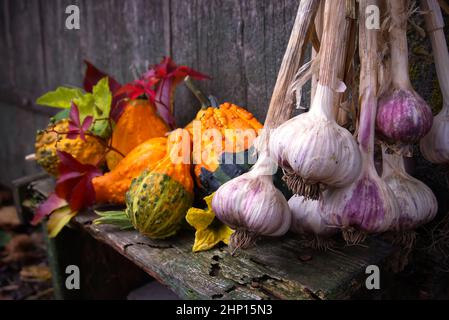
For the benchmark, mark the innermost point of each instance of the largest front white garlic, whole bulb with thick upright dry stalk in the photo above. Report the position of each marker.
(312, 148)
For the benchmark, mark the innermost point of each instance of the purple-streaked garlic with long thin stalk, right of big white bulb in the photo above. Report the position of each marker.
(367, 205)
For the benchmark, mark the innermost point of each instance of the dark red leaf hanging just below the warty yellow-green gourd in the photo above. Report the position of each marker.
(74, 182)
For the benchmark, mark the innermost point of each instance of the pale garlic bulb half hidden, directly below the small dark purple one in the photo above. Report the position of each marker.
(417, 203)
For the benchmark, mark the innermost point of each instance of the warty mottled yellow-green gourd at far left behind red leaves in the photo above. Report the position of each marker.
(88, 151)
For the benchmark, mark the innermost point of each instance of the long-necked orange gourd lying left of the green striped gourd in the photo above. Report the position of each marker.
(112, 186)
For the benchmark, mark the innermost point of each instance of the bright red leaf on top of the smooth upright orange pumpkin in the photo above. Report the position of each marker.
(159, 84)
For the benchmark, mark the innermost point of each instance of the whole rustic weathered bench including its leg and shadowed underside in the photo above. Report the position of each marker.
(275, 269)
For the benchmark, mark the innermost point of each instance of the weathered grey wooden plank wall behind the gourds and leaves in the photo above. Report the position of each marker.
(239, 43)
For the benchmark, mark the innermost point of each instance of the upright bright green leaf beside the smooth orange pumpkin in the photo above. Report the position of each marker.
(102, 108)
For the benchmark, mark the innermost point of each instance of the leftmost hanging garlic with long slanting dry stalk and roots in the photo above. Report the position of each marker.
(250, 204)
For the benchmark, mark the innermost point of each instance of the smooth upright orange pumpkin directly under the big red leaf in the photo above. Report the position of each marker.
(138, 123)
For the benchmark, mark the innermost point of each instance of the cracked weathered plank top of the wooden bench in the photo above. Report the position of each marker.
(278, 268)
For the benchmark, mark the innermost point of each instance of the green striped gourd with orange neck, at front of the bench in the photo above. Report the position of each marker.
(158, 200)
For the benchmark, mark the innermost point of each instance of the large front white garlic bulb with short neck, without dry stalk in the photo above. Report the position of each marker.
(314, 150)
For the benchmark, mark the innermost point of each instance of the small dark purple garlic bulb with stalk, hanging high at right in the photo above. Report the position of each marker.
(403, 117)
